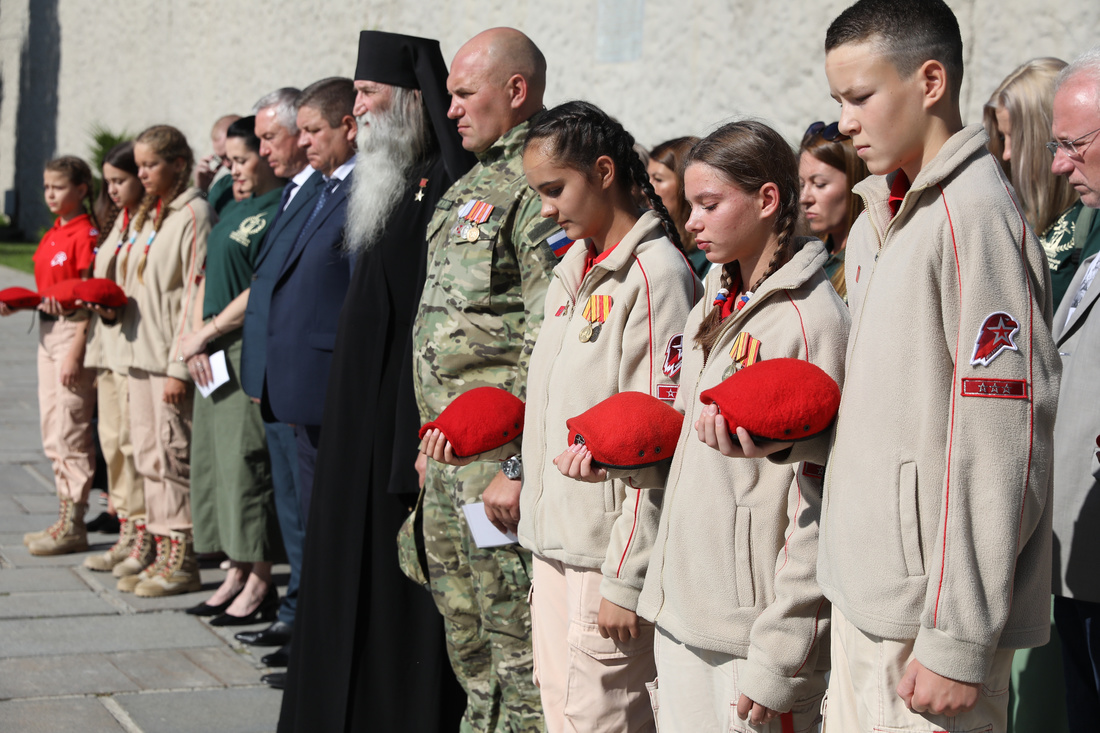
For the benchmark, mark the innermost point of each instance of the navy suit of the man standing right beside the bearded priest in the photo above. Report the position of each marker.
(302, 330)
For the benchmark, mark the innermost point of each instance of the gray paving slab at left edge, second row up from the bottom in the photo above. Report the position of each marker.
(70, 674)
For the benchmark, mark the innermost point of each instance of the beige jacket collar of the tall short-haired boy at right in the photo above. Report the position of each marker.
(960, 148)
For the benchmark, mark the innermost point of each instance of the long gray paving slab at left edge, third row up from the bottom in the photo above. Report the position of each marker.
(102, 634)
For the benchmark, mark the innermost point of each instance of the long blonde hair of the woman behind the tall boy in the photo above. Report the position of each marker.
(1028, 96)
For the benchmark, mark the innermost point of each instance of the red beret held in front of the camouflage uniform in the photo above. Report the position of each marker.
(480, 421)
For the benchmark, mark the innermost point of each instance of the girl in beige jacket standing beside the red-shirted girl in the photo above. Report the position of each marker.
(111, 355)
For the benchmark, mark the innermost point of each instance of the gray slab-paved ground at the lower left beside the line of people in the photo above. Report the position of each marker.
(76, 654)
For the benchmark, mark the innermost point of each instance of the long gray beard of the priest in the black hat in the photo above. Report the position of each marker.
(389, 146)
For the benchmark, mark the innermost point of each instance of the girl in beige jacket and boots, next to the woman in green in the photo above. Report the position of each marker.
(161, 266)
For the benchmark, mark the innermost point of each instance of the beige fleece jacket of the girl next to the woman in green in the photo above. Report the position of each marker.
(162, 300)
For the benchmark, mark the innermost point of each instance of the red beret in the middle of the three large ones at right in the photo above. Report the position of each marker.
(628, 431)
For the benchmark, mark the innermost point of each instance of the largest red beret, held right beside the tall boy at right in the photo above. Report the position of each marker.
(777, 400)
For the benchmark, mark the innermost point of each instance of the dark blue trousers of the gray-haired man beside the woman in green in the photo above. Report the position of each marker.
(283, 448)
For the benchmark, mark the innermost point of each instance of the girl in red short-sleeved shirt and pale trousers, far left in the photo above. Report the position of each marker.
(67, 390)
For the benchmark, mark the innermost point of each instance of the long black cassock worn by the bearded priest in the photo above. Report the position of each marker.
(369, 652)
